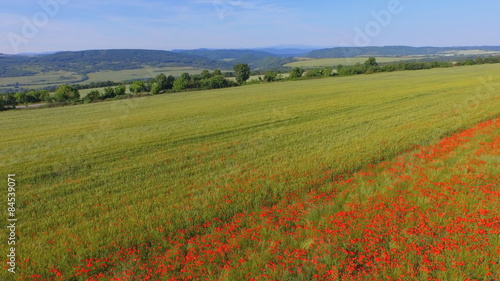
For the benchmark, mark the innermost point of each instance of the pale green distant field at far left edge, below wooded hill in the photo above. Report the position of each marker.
(41, 80)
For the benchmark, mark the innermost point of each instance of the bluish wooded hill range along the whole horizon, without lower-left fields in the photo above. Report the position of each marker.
(84, 62)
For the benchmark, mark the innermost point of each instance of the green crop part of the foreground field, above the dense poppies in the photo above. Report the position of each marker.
(96, 179)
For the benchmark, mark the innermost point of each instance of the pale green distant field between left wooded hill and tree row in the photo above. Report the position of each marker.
(135, 74)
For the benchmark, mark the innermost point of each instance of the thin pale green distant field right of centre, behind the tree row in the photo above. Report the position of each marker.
(310, 63)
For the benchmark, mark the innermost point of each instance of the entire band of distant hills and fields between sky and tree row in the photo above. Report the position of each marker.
(36, 71)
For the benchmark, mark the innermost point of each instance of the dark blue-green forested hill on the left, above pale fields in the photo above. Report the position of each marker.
(85, 62)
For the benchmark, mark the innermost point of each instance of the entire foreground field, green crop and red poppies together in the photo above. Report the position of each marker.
(371, 177)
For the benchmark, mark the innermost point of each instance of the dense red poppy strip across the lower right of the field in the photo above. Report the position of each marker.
(429, 214)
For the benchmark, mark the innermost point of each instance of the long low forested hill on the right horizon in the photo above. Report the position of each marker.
(344, 52)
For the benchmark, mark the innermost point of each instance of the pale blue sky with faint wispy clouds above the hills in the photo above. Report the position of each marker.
(56, 25)
